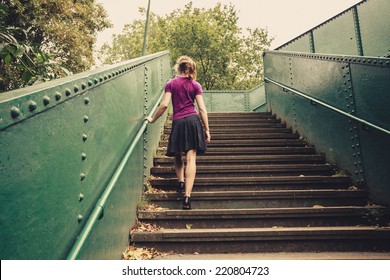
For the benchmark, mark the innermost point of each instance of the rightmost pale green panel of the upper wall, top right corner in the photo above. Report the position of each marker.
(374, 27)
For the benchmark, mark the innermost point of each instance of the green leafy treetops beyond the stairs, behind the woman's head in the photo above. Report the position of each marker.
(226, 58)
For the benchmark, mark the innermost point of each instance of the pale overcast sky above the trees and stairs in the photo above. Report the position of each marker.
(284, 19)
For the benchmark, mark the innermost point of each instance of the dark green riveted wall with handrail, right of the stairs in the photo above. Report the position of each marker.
(339, 103)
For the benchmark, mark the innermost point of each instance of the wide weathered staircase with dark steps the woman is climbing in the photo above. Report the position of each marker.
(259, 188)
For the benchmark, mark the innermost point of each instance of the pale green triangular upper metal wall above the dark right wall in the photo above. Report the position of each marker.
(360, 30)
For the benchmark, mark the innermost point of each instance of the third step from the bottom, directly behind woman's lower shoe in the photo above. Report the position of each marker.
(261, 199)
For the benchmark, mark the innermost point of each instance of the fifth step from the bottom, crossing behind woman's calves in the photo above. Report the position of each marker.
(250, 170)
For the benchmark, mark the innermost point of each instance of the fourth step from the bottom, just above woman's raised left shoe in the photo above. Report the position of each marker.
(258, 183)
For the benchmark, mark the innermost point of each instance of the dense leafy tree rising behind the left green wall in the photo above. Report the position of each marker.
(41, 39)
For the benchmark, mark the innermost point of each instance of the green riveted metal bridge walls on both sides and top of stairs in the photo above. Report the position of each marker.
(76, 153)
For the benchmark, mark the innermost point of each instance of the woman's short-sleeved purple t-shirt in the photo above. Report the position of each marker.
(183, 92)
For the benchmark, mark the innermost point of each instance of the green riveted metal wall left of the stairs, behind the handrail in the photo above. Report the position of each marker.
(61, 143)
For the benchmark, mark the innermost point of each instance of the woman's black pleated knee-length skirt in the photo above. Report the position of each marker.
(187, 134)
